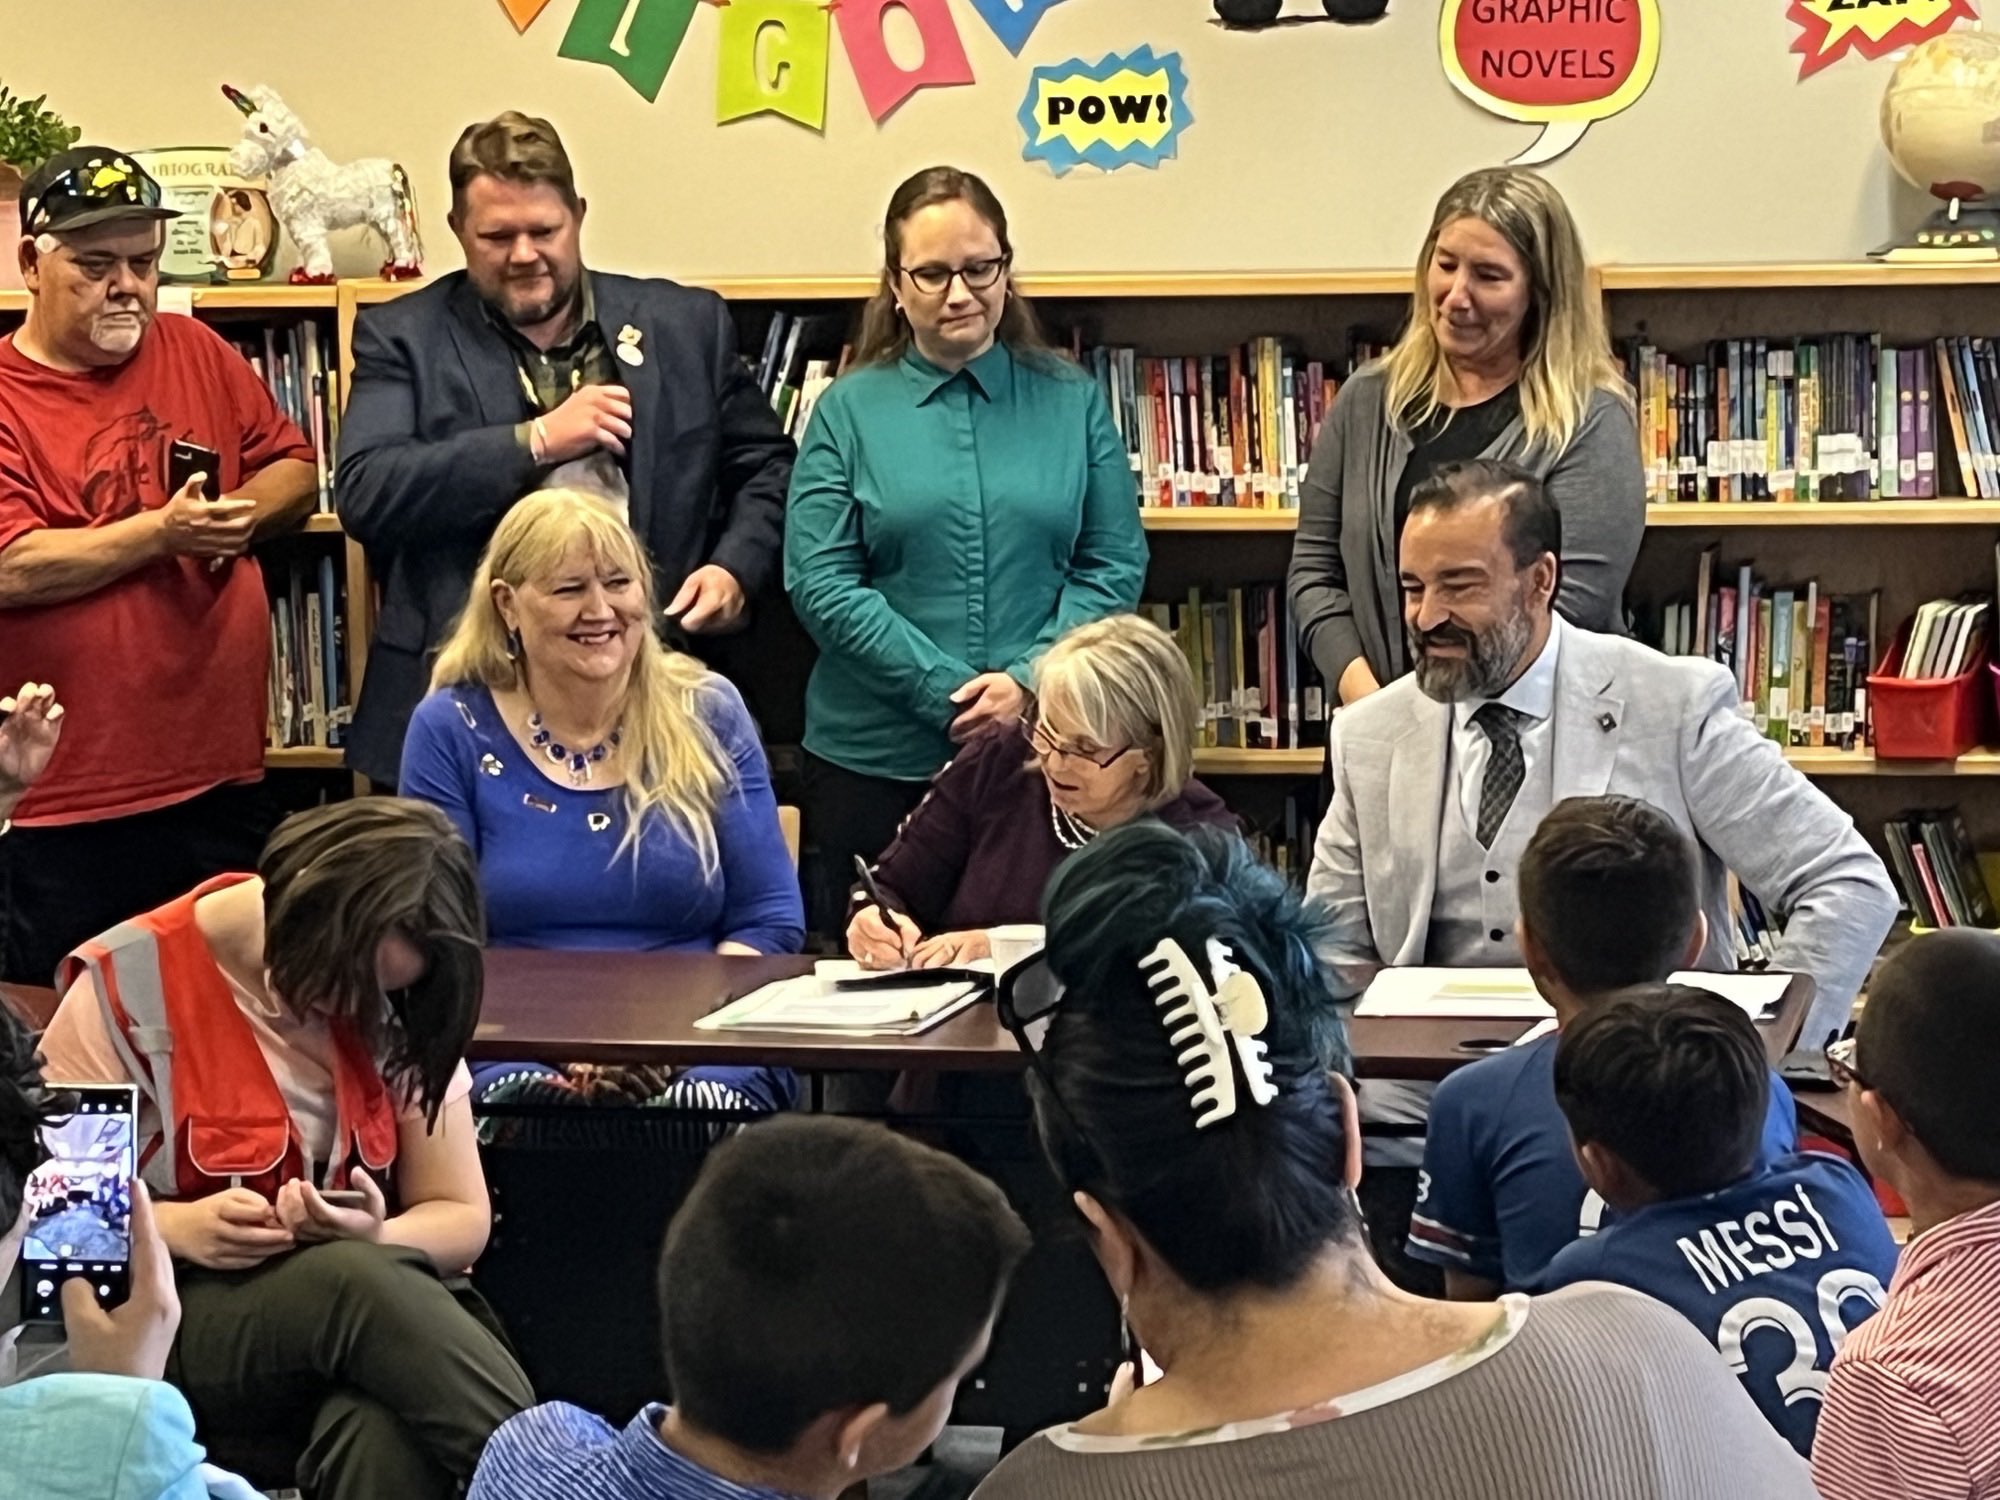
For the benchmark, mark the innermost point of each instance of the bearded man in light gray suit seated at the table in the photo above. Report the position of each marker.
(1441, 777)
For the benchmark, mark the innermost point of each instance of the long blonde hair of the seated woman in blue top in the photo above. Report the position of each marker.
(673, 761)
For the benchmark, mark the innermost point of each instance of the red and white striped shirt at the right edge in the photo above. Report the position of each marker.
(1913, 1409)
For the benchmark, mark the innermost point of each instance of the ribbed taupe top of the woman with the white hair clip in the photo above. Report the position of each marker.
(1583, 1395)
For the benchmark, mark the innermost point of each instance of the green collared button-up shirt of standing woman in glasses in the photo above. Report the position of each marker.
(947, 525)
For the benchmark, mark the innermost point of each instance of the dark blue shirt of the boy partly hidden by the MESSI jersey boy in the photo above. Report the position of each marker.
(1501, 1189)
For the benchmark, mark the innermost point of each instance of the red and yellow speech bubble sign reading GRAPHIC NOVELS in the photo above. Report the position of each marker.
(1555, 63)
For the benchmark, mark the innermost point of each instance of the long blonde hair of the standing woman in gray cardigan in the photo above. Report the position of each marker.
(1567, 353)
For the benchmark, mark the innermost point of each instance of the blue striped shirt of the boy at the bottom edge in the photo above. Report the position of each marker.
(563, 1453)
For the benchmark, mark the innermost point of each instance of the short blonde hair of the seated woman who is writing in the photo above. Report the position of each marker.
(1127, 683)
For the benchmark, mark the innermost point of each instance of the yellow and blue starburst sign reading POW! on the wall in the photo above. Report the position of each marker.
(1125, 111)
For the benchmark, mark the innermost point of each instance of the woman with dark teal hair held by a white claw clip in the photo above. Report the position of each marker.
(1183, 1097)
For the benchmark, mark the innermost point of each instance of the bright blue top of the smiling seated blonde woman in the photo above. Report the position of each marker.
(549, 855)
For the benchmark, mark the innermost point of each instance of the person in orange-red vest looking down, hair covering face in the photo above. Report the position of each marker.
(297, 1037)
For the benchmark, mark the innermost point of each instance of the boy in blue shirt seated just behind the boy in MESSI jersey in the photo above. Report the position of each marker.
(1609, 899)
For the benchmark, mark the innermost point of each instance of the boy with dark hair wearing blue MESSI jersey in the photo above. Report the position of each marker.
(1775, 1263)
